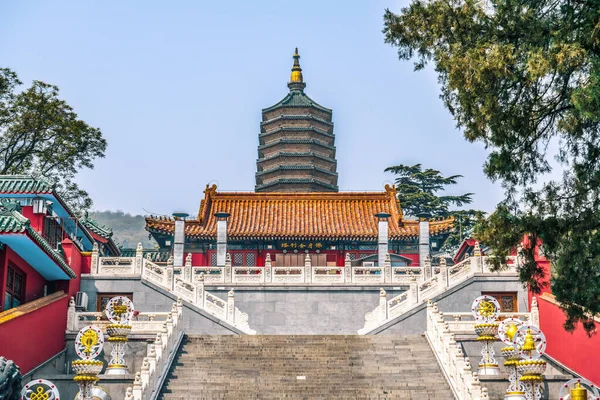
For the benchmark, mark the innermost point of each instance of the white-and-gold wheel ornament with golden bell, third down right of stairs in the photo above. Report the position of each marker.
(531, 343)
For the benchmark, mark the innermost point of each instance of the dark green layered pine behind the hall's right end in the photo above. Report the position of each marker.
(418, 195)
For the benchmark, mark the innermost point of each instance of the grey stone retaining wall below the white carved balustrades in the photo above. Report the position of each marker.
(302, 309)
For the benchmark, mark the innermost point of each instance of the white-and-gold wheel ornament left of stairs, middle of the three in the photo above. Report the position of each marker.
(88, 345)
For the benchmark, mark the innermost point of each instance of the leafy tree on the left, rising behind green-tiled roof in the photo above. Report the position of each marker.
(40, 134)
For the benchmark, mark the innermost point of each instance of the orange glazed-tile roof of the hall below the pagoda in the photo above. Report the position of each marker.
(333, 216)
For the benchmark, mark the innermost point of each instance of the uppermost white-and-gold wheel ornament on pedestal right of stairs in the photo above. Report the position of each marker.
(485, 310)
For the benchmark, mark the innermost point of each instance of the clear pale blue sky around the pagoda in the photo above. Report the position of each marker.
(177, 89)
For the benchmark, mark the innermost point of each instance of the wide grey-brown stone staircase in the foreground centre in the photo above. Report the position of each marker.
(305, 367)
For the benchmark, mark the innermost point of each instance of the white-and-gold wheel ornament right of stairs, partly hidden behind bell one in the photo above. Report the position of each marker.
(506, 332)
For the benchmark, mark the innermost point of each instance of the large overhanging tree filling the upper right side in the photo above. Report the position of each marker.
(519, 76)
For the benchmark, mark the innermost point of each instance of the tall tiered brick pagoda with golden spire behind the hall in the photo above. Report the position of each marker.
(296, 151)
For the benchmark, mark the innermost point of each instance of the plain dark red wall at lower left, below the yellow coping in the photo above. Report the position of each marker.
(33, 338)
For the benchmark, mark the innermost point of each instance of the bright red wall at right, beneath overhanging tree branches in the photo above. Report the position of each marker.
(575, 350)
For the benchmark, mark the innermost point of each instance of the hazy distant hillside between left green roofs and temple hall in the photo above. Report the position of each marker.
(128, 230)
